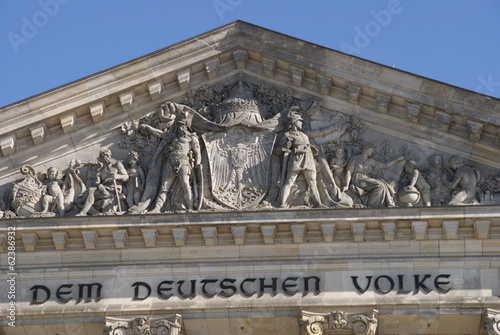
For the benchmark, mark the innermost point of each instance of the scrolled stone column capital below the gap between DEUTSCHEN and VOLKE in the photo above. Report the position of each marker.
(338, 322)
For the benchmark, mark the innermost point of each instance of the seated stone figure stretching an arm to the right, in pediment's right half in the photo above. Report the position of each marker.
(374, 192)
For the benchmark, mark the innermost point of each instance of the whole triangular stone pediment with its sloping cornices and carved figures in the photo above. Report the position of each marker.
(243, 118)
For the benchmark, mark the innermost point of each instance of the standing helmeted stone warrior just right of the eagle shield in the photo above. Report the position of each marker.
(298, 157)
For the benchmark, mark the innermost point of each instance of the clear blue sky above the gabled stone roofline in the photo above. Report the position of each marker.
(48, 43)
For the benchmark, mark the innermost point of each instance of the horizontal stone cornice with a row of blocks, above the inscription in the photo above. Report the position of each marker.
(446, 226)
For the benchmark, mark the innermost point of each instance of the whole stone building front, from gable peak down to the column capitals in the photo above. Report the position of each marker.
(247, 182)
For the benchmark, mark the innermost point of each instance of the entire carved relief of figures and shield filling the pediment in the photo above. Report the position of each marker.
(246, 146)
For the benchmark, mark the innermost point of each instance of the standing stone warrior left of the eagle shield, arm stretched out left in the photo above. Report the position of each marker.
(181, 155)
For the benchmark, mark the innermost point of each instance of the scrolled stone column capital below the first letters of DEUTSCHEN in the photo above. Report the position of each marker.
(153, 324)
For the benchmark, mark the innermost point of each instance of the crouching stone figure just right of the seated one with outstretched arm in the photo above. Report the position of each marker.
(413, 186)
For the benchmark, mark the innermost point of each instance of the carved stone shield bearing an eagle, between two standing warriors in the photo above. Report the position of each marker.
(239, 161)
